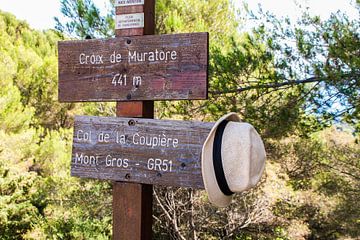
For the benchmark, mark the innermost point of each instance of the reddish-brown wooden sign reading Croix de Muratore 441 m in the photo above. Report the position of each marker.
(153, 67)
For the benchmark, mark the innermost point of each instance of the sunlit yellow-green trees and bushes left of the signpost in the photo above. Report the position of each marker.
(38, 198)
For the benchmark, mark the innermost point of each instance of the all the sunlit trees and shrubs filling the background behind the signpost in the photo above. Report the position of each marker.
(298, 84)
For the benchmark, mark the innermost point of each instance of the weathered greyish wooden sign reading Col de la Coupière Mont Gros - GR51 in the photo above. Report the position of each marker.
(145, 151)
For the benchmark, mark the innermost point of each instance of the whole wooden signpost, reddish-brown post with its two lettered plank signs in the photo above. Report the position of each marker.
(135, 70)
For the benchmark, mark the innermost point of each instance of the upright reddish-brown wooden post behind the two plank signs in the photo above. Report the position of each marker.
(132, 202)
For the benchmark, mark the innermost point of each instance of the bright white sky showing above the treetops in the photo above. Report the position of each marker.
(40, 13)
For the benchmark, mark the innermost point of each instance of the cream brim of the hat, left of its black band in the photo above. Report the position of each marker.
(216, 196)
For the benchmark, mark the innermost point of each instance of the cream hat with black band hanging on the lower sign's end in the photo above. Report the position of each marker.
(233, 159)
